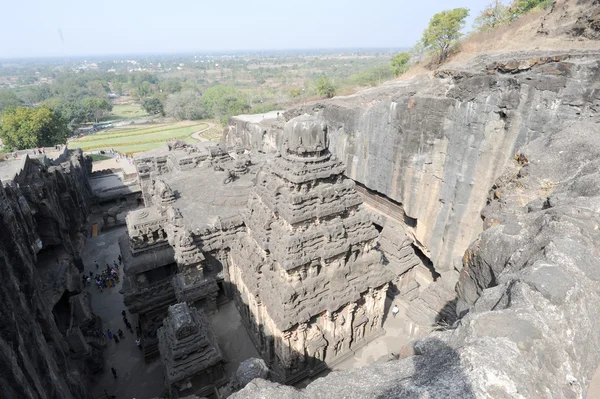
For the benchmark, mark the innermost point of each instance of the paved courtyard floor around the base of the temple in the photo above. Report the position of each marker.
(140, 380)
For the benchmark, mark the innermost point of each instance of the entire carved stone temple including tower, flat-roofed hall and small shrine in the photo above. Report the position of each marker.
(284, 234)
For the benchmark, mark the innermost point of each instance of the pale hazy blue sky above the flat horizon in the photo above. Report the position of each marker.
(31, 28)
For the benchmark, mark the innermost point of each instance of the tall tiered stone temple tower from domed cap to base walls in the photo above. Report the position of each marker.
(310, 282)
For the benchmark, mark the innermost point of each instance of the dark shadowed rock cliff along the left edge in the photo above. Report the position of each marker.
(42, 212)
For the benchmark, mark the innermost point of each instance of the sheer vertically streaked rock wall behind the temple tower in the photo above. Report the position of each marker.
(437, 143)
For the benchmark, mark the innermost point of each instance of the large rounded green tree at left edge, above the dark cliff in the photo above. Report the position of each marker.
(22, 128)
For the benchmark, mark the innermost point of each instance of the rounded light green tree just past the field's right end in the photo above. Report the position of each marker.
(221, 102)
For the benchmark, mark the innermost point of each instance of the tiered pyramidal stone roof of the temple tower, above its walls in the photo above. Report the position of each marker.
(311, 246)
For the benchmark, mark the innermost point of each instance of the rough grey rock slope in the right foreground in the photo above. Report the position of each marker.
(528, 288)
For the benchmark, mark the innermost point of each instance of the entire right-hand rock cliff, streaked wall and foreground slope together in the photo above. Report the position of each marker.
(497, 160)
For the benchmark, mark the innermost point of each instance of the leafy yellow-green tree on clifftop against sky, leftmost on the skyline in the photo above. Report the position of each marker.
(444, 31)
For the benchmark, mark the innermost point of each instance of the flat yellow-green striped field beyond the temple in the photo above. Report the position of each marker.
(130, 139)
